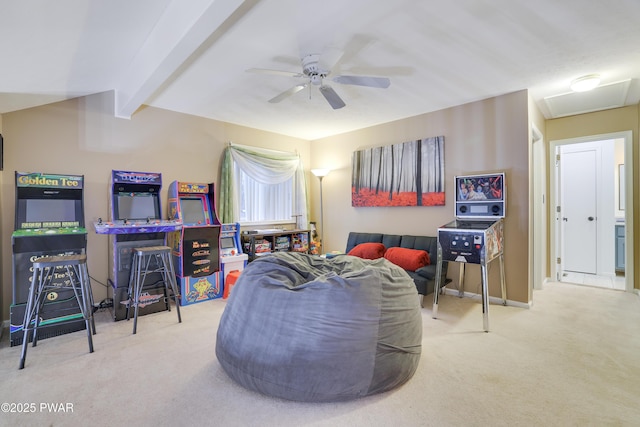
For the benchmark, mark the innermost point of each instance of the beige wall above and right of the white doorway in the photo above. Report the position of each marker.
(603, 122)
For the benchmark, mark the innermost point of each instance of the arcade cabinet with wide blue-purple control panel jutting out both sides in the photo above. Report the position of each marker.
(135, 222)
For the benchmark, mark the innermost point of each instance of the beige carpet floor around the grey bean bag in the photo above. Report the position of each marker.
(572, 359)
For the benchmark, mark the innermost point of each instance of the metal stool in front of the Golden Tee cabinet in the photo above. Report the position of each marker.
(42, 281)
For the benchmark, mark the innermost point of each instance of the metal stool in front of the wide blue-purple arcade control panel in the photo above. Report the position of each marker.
(141, 266)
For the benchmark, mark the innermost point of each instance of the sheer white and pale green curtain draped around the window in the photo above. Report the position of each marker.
(266, 167)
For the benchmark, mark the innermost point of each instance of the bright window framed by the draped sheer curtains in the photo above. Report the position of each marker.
(258, 202)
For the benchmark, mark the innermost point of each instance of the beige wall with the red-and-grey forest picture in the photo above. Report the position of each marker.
(485, 136)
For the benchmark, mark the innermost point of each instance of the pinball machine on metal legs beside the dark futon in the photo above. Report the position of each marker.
(476, 235)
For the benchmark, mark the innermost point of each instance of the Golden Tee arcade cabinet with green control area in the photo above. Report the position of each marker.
(49, 221)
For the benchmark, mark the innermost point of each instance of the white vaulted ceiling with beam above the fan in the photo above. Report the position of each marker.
(193, 56)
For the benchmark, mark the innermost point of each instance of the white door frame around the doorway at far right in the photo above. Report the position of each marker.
(627, 137)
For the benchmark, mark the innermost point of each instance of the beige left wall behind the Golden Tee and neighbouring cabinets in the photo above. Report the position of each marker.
(82, 137)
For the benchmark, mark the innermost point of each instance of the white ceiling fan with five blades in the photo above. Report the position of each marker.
(314, 74)
